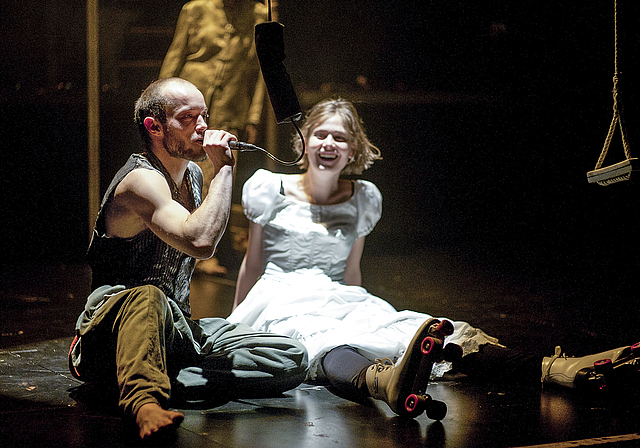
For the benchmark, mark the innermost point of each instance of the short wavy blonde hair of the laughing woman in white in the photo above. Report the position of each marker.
(363, 151)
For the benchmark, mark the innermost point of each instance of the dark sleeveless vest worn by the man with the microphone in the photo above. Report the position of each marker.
(143, 259)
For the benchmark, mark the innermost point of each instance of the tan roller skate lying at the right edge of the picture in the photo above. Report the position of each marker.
(610, 371)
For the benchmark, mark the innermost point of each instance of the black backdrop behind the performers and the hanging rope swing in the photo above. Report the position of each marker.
(488, 114)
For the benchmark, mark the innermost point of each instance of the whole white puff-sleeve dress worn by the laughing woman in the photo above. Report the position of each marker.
(302, 294)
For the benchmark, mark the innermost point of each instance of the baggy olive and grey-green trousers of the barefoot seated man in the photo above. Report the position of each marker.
(139, 339)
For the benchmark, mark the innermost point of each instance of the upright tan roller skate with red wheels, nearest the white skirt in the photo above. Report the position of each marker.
(403, 385)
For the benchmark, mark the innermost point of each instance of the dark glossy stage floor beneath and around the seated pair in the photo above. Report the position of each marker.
(43, 405)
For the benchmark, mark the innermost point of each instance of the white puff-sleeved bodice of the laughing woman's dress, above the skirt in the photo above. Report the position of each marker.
(298, 235)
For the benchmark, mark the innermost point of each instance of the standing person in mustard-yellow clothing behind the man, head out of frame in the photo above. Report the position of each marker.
(214, 48)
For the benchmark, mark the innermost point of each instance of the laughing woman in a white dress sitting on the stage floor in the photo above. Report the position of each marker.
(301, 273)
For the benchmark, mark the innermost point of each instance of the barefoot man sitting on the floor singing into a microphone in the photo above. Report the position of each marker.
(152, 225)
